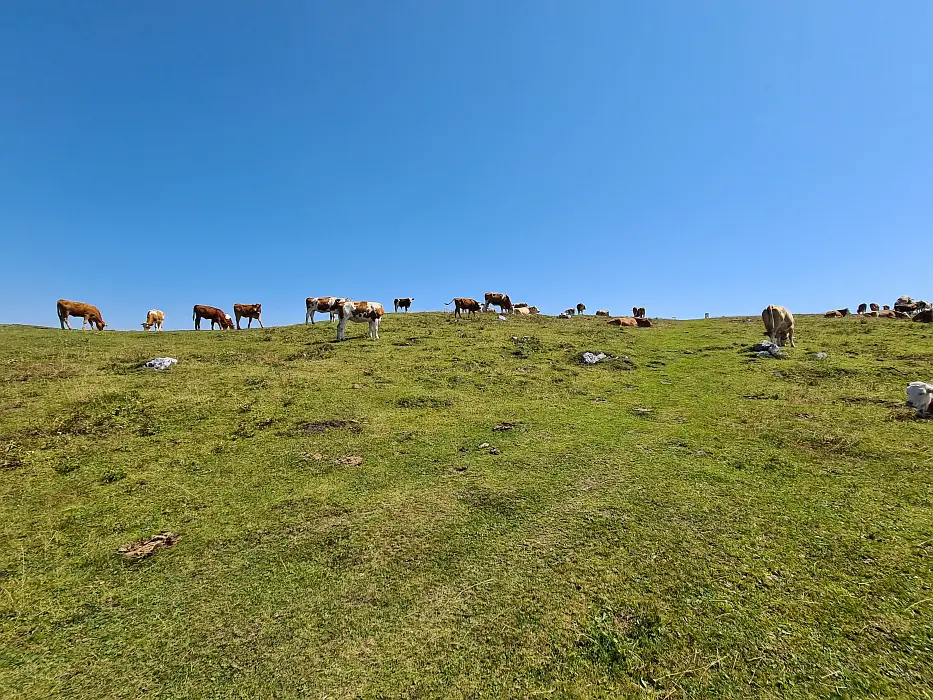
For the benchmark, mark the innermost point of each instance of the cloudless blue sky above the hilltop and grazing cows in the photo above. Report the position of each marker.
(682, 156)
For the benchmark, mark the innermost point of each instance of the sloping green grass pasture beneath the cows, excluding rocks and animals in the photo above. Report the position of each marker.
(688, 522)
